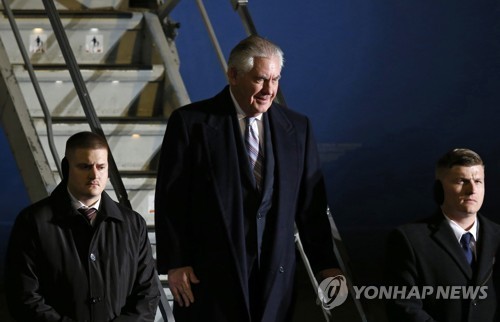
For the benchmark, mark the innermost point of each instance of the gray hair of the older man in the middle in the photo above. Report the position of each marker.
(242, 56)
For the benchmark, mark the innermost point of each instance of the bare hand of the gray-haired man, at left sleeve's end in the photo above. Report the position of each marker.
(179, 282)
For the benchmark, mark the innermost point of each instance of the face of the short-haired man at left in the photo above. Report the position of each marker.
(88, 174)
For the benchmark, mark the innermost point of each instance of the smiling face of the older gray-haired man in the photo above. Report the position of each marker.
(255, 90)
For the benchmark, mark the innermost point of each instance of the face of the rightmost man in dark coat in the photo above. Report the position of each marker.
(463, 190)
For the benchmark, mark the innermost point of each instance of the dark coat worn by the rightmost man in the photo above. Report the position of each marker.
(427, 254)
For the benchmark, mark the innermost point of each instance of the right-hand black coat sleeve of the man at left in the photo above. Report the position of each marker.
(142, 302)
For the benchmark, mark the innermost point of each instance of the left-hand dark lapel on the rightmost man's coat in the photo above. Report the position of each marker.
(446, 239)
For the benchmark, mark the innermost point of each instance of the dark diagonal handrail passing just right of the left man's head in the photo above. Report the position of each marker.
(84, 96)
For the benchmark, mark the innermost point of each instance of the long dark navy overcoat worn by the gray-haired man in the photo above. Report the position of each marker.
(202, 195)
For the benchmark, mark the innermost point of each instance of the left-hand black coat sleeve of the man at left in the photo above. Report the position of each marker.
(24, 299)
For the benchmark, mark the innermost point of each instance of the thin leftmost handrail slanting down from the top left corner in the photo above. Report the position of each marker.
(36, 85)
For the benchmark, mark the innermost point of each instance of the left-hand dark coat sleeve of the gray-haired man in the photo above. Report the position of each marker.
(171, 197)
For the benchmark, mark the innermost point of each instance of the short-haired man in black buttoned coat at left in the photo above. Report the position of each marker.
(77, 255)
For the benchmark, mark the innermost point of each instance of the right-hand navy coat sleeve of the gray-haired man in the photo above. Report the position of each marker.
(312, 219)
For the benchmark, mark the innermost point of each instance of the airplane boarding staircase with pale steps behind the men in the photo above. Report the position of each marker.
(109, 66)
